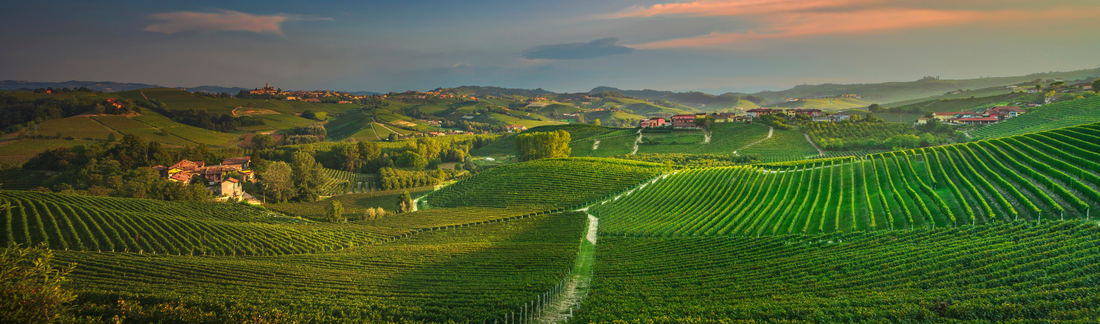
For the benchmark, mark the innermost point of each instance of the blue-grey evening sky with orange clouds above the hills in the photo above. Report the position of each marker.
(564, 46)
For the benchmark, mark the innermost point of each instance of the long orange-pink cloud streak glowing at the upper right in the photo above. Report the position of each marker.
(794, 19)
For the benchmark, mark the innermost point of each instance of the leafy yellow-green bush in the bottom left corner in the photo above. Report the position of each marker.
(31, 288)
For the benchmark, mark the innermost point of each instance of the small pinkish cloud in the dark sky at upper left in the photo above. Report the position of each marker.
(223, 20)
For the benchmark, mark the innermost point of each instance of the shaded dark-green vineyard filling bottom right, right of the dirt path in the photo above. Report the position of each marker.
(1006, 273)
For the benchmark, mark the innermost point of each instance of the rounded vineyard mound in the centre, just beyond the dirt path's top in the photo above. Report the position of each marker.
(546, 184)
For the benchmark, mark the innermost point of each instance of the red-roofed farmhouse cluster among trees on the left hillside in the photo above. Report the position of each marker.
(217, 176)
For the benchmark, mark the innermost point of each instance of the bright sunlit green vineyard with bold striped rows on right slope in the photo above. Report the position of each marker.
(1051, 175)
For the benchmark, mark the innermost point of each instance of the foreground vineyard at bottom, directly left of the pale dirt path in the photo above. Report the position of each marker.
(464, 275)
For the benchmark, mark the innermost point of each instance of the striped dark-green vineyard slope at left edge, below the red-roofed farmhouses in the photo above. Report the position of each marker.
(158, 228)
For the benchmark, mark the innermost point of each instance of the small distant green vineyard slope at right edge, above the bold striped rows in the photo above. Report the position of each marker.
(1050, 117)
